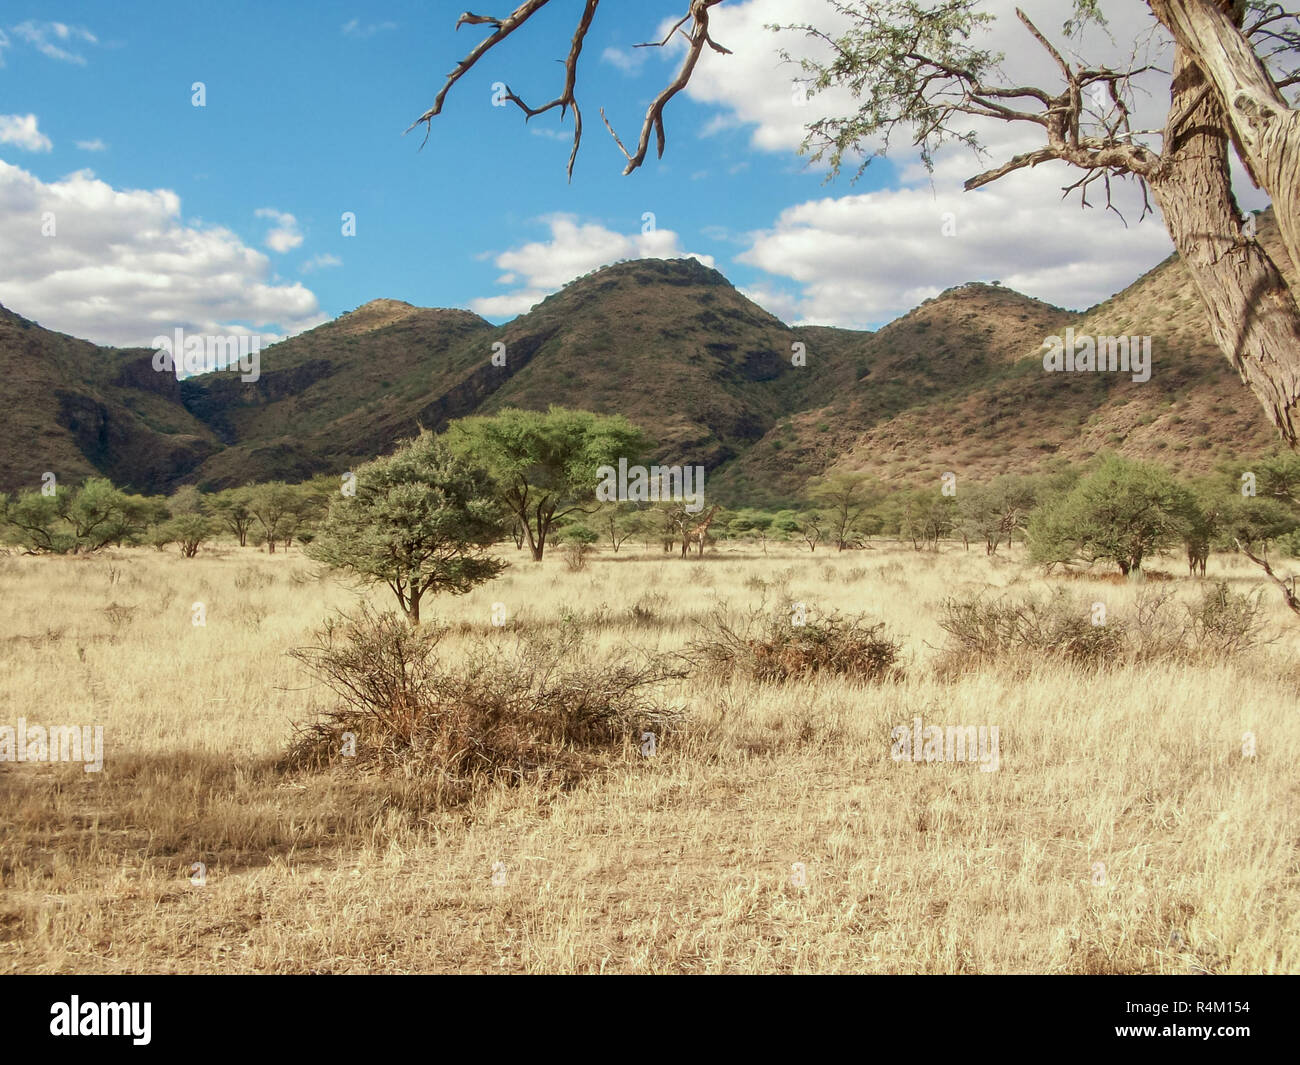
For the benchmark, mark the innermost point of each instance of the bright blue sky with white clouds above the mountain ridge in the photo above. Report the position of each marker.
(177, 215)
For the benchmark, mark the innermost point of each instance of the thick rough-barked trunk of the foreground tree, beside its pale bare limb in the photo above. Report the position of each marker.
(1253, 314)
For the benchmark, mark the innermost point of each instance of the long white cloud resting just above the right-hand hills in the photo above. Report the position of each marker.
(865, 259)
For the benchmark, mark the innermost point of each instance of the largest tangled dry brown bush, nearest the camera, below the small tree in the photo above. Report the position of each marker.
(509, 708)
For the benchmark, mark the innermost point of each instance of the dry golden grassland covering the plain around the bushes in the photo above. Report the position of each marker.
(674, 864)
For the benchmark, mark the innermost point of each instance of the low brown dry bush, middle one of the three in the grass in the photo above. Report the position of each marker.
(766, 646)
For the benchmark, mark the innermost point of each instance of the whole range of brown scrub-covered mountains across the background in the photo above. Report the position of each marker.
(956, 384)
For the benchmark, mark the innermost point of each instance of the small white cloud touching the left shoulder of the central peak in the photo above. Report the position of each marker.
(573, 250)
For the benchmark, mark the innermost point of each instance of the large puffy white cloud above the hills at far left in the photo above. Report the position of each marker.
(123, 267)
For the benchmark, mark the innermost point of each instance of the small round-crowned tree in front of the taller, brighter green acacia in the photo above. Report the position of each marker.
(422, 521)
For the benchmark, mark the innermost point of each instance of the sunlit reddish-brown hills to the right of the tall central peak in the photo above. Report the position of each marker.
(959, 386)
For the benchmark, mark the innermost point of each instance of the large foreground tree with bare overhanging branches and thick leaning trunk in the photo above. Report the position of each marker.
(916, 67)
